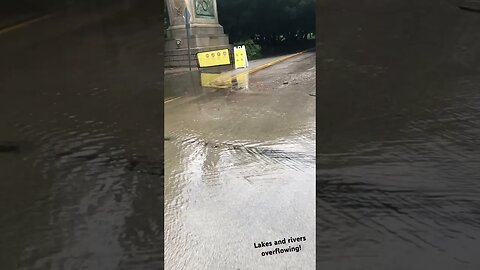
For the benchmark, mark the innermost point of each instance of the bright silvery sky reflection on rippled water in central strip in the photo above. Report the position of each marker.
(216, 204)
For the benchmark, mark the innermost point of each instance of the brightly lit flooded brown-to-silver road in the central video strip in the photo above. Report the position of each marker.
(239, 170)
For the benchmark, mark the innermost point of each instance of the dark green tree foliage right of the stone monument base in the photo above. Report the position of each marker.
(267, 22)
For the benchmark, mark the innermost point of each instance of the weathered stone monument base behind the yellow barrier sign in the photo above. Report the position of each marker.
(205, 32)
